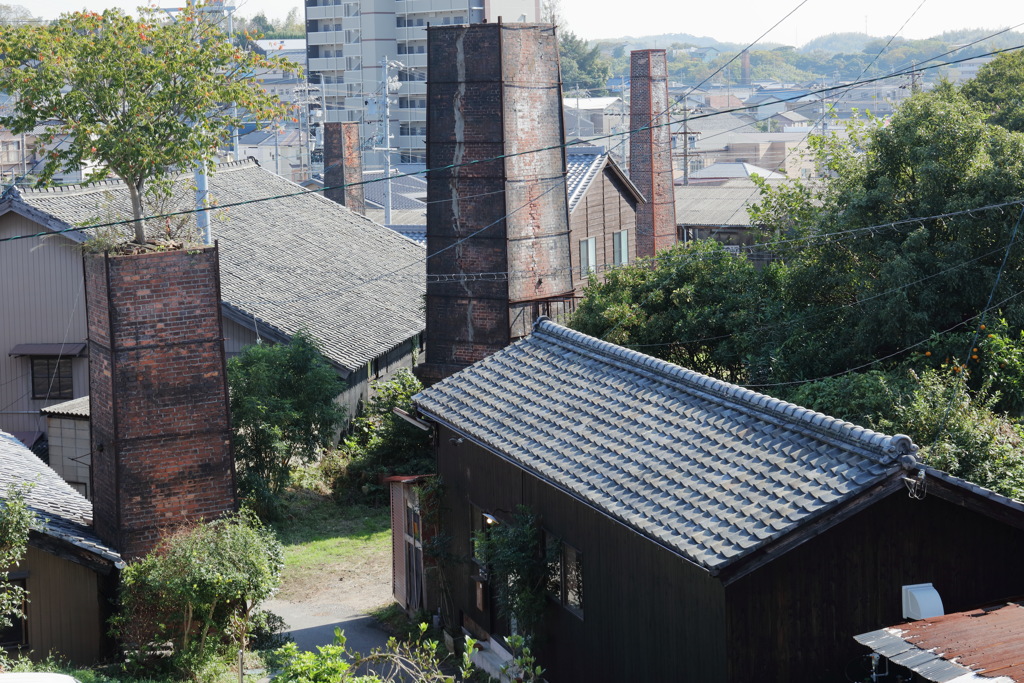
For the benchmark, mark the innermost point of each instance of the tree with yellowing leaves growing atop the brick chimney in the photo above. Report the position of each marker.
(144, 99)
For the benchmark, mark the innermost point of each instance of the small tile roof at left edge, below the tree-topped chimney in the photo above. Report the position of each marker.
(64, 513)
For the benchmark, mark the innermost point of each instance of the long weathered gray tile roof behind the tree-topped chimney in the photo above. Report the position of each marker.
(294, 263)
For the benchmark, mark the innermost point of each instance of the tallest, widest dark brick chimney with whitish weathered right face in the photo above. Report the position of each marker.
(494, 92)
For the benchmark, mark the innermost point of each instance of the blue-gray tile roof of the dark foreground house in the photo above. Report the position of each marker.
(708, 469)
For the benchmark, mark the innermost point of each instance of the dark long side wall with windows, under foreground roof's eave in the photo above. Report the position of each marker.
(649, 615)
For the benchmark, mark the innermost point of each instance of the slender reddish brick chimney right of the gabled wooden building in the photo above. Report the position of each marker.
(651, 151)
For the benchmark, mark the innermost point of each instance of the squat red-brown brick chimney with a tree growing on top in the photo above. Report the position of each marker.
(161, 435)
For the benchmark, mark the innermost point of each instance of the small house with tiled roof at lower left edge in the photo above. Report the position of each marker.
(69, 573)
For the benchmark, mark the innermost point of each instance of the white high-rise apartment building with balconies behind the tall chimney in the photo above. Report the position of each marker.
(349, 40)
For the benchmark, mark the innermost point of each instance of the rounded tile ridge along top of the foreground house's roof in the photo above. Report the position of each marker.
(890, 448)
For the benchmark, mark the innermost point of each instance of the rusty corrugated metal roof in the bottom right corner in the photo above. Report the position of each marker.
(984, 646)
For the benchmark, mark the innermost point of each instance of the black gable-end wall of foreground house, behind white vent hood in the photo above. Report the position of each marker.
(801, 612)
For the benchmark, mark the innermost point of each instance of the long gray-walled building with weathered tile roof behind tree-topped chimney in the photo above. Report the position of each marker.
(290, 261)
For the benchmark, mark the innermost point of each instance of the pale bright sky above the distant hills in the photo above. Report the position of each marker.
(737, 21)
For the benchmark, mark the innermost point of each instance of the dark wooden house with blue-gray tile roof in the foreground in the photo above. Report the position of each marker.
(708, 533)
